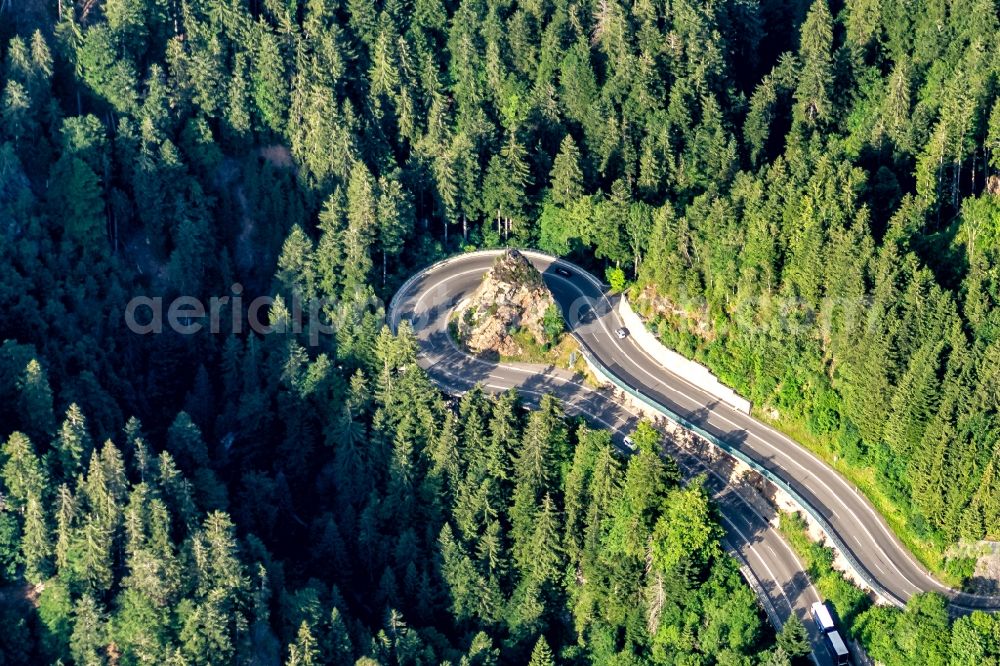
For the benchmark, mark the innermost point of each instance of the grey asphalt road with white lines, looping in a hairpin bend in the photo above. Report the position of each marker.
(426, 301)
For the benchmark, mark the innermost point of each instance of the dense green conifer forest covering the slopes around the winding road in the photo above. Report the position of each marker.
(806, 192)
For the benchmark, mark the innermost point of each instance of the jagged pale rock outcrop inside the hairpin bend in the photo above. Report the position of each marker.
(511, 297)
